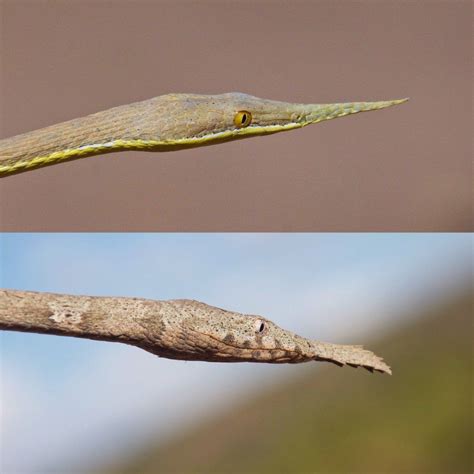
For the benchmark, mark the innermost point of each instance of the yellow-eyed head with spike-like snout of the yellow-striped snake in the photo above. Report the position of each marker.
(196, 120)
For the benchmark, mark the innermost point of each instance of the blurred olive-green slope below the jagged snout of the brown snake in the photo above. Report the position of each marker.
(343, 420)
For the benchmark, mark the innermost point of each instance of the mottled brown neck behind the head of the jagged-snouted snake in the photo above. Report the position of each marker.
(159, 327)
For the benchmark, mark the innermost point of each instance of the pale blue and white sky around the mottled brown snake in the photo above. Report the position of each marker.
(334, 287)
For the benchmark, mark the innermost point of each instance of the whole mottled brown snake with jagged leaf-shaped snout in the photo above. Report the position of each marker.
(175, 329)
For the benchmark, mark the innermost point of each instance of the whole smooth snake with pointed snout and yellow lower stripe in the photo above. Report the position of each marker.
(166, 123)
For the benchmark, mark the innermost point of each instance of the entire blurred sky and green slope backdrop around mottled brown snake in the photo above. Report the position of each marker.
(76, 406)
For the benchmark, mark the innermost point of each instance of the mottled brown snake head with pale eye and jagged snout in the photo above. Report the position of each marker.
(216, 335)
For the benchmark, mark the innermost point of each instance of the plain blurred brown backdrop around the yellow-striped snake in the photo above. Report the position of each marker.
(406, 168)
